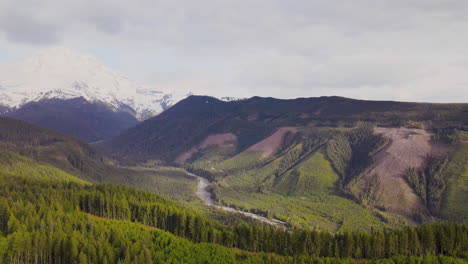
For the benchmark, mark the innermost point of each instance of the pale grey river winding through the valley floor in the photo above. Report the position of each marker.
(205, 195)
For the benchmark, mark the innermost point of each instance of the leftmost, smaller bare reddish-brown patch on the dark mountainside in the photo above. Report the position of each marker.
(222, 140)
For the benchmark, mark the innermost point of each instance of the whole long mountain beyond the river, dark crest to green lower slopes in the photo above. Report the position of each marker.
(354, 151)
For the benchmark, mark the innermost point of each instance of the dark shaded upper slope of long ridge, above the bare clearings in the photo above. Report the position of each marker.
(192, 120)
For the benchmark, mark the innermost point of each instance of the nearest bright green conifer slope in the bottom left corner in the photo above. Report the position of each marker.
(73, 237)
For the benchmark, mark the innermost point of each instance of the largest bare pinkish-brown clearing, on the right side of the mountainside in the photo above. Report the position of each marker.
(406, 148)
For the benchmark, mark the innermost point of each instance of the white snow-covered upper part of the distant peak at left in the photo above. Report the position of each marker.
(59, 73)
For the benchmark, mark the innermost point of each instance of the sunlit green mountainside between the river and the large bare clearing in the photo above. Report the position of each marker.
(252, 184)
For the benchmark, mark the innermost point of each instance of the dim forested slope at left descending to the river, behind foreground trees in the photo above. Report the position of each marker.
(77, 158)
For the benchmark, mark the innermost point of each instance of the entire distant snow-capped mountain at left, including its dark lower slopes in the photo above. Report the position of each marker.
(75, 93)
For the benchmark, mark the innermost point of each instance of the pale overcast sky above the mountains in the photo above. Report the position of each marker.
(412, 50)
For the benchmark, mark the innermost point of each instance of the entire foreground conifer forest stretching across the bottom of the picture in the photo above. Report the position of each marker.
(45, 221)
